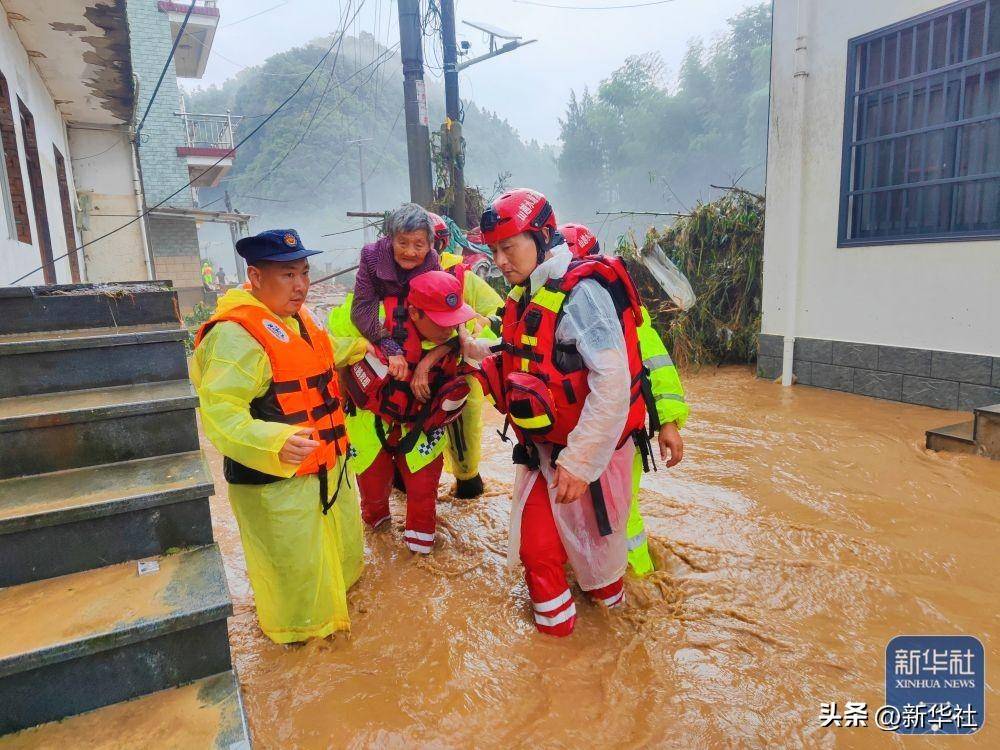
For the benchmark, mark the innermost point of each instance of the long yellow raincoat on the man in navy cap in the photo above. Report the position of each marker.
(300, 562)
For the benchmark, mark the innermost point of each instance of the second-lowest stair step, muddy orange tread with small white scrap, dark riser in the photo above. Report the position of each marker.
(86, 640)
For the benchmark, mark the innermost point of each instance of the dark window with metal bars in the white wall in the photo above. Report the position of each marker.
(922, 129)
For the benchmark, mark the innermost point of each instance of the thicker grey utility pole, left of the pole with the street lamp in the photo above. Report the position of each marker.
(418, 143)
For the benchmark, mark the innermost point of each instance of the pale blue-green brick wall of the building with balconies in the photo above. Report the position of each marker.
(163, 171)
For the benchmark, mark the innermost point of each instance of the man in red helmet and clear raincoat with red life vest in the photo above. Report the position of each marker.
(569, 379)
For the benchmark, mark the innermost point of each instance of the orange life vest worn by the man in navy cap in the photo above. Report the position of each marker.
(304, 390)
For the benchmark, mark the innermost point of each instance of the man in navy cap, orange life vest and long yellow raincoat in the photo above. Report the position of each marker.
(270, 403)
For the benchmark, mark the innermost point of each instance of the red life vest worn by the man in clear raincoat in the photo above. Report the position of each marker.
(549, 410)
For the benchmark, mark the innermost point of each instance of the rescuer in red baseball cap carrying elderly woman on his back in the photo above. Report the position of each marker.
(399, 425)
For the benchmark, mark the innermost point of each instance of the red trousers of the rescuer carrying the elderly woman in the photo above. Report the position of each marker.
(375, 484)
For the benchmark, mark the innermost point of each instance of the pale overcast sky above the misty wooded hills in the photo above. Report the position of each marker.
(530, 86)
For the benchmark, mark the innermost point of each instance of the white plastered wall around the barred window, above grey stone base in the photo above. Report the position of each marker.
(942, 296)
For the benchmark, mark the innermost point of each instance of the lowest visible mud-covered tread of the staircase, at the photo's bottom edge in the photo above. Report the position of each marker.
(206, 713)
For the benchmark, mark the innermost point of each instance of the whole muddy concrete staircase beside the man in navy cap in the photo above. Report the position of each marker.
(111, 588)
